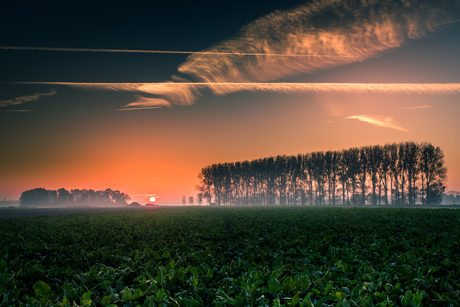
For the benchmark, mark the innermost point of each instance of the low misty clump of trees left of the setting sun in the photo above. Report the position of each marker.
(63, 197)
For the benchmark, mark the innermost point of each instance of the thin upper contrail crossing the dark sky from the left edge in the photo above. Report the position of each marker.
(170, 52)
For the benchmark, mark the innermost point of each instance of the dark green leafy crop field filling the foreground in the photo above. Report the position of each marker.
(233, 256)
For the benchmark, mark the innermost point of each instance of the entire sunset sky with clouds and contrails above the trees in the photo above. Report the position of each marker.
(139, 97)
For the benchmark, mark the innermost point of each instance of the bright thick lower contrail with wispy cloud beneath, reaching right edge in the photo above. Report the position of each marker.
(187, 93)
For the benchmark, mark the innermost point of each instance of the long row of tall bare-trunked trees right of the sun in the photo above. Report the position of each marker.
(393, 174)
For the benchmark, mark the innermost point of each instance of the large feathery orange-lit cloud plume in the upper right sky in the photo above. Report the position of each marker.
(352, 31)
